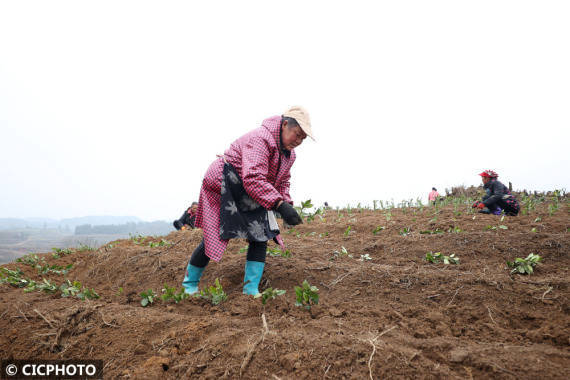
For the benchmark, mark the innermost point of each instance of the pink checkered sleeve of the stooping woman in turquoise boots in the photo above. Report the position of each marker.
(255, 166)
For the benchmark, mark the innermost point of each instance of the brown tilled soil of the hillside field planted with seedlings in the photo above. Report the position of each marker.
(393, 316)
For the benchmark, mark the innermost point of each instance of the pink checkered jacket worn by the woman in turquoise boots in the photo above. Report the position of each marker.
(264, 170)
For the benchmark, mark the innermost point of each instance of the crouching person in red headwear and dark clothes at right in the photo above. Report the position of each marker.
(498, 197)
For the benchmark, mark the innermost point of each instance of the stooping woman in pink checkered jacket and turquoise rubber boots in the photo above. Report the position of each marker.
(240, 191)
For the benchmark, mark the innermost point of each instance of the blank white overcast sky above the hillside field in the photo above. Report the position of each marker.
(118, 107)
